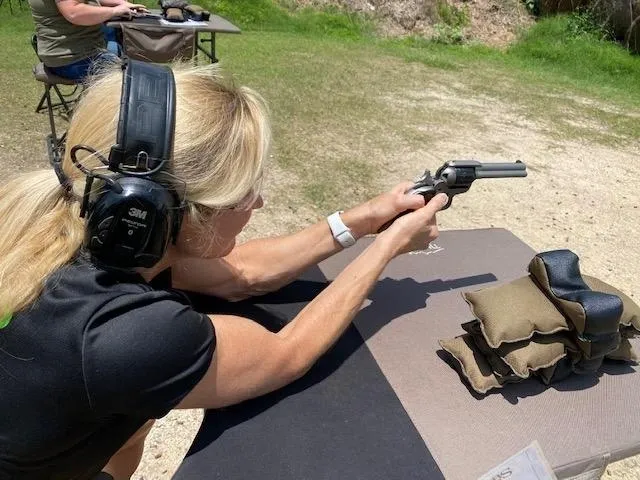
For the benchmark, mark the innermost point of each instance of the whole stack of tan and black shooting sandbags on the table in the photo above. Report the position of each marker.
(536, 325)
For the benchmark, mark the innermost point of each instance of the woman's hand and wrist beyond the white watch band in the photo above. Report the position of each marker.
(368, 217)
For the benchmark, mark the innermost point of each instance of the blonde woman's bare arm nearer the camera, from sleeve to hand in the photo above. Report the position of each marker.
(250, 361)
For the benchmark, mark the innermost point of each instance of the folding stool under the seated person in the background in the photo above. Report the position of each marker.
(55, 143)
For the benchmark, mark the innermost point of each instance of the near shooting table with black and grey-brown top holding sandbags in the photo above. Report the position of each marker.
(385, 404)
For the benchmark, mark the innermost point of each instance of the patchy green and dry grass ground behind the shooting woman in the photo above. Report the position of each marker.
(333, 89)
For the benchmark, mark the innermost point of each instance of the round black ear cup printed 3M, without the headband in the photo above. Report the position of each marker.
(131, 226)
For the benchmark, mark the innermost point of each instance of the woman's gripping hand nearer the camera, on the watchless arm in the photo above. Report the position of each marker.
(415, 230)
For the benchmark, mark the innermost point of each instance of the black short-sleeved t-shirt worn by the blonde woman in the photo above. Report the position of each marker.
(96, 356)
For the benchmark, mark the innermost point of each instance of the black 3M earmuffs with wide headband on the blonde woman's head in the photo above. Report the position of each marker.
(138, 211)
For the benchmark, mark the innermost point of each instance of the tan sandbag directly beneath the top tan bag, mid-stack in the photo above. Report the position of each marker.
(540, 351)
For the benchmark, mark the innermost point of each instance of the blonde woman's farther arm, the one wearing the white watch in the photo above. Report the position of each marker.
(263, 265)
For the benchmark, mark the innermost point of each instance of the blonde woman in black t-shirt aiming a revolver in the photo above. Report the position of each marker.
(90, 355)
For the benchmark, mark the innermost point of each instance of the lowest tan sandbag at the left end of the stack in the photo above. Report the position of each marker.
(473, 366)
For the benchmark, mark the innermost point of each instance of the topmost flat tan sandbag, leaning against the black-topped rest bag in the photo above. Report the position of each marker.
(514, 311)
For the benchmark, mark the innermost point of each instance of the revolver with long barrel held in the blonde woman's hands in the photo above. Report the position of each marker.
(456, 177)
